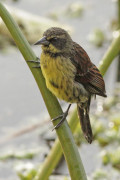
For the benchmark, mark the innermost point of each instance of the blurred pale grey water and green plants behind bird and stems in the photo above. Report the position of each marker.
(25, 127)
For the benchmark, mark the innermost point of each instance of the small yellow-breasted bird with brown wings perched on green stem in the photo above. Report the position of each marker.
(70, 75)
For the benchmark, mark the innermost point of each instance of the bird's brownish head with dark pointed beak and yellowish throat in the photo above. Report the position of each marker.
(55, 40)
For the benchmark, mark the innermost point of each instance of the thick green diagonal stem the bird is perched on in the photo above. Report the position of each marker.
(68, 145)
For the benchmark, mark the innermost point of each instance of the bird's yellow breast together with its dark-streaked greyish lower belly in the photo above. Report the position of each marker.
(60, 79)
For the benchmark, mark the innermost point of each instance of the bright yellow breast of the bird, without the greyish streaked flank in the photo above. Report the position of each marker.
(59, 74)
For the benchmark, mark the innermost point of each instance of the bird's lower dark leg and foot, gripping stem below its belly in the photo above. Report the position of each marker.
(63, 116)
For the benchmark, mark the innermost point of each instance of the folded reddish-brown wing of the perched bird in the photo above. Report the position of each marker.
(87, 73)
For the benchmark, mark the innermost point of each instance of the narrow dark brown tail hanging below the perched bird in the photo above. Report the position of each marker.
(83, 113)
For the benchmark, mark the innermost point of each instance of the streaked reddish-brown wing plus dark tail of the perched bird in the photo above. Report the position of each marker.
(88, 75)
